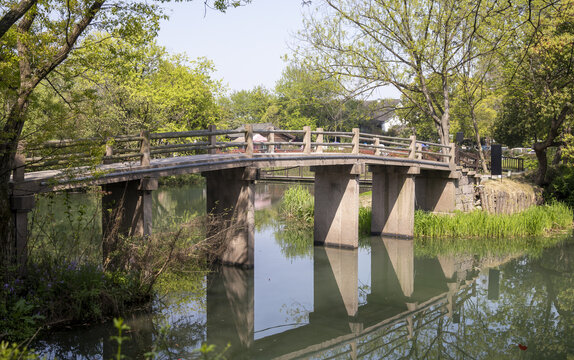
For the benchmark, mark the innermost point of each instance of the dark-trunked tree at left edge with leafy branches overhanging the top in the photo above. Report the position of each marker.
(36, 37)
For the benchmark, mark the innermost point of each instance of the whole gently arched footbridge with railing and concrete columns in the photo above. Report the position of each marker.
(127, 168)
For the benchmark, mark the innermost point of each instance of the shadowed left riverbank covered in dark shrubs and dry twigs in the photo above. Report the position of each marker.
(51, 292)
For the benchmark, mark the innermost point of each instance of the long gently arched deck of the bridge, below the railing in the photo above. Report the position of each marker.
(51, 180)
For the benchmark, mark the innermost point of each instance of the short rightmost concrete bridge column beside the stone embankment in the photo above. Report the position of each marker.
(435, 192)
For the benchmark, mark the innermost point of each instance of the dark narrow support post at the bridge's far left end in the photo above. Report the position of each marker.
(21, 203)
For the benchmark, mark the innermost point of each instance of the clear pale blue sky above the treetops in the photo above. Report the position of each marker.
(246, 44)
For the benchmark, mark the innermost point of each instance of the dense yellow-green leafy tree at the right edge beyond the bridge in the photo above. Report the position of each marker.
(538, 105)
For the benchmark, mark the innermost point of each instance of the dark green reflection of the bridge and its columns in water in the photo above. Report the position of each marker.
(339, 324)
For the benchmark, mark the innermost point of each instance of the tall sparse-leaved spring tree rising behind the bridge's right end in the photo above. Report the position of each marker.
(403, 43)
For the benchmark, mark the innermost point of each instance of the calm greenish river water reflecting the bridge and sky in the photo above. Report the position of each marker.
(380, 301)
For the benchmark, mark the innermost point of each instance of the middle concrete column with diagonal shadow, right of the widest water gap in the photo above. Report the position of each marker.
(337, 205)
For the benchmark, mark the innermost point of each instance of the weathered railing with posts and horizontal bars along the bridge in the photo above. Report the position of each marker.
(58, 154)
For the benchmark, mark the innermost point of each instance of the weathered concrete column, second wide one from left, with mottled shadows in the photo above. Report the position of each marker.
(230, 201)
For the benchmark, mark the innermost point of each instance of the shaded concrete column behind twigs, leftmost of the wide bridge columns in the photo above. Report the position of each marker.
(127, 208)
